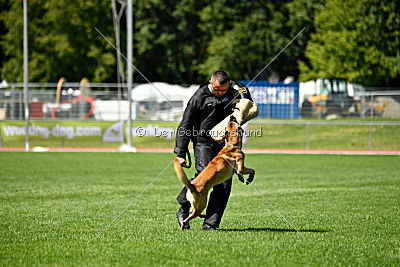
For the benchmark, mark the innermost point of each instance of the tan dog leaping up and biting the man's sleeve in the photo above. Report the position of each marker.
(229, 160)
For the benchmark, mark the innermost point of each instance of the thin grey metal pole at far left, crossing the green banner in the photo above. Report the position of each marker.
(26, 89)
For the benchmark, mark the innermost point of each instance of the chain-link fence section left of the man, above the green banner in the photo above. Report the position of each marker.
(73, 101)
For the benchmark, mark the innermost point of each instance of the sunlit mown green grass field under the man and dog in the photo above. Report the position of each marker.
(54, 204)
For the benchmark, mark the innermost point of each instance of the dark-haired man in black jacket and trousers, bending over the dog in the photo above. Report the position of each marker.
(209, 105)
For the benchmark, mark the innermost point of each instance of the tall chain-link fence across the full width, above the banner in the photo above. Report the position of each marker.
(108, 102)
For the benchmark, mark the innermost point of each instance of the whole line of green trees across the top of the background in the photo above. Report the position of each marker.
(185, 41)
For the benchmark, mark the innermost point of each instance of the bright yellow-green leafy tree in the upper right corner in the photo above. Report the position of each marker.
(358, 40)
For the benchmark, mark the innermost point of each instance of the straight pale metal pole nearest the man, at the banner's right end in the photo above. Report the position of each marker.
(129, 69)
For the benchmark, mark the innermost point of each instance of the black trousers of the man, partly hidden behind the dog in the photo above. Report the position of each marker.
(203, 154)
